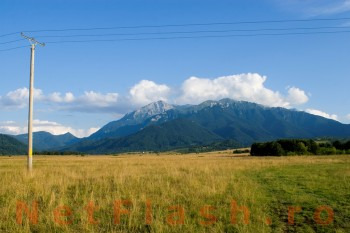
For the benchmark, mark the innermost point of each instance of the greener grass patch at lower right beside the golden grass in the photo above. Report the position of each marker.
(307, 186)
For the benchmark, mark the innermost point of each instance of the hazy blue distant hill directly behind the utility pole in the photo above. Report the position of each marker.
(47, 141)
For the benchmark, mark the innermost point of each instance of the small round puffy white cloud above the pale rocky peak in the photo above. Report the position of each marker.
(147, 91)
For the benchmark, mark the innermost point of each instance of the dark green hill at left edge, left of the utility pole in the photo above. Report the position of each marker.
(11, 146)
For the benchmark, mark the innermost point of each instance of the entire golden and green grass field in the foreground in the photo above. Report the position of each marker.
(176, 193)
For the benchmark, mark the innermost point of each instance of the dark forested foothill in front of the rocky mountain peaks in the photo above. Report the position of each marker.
(170, 135)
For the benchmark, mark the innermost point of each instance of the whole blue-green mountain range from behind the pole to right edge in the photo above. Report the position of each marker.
(161, 126)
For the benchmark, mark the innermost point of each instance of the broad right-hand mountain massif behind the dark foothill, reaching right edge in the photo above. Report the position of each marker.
(249, 122)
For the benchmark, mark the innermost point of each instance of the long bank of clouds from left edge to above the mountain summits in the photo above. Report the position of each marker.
(249, 87)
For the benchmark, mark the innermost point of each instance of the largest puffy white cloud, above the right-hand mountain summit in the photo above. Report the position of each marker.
(248, 87)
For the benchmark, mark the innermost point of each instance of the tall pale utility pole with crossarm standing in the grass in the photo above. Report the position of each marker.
(33, 43)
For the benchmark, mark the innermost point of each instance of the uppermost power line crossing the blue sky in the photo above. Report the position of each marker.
(180, 25)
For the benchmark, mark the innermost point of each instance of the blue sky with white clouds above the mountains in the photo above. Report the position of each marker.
(79, 87)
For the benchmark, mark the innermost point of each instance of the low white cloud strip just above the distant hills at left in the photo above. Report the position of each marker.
(54, 128)
